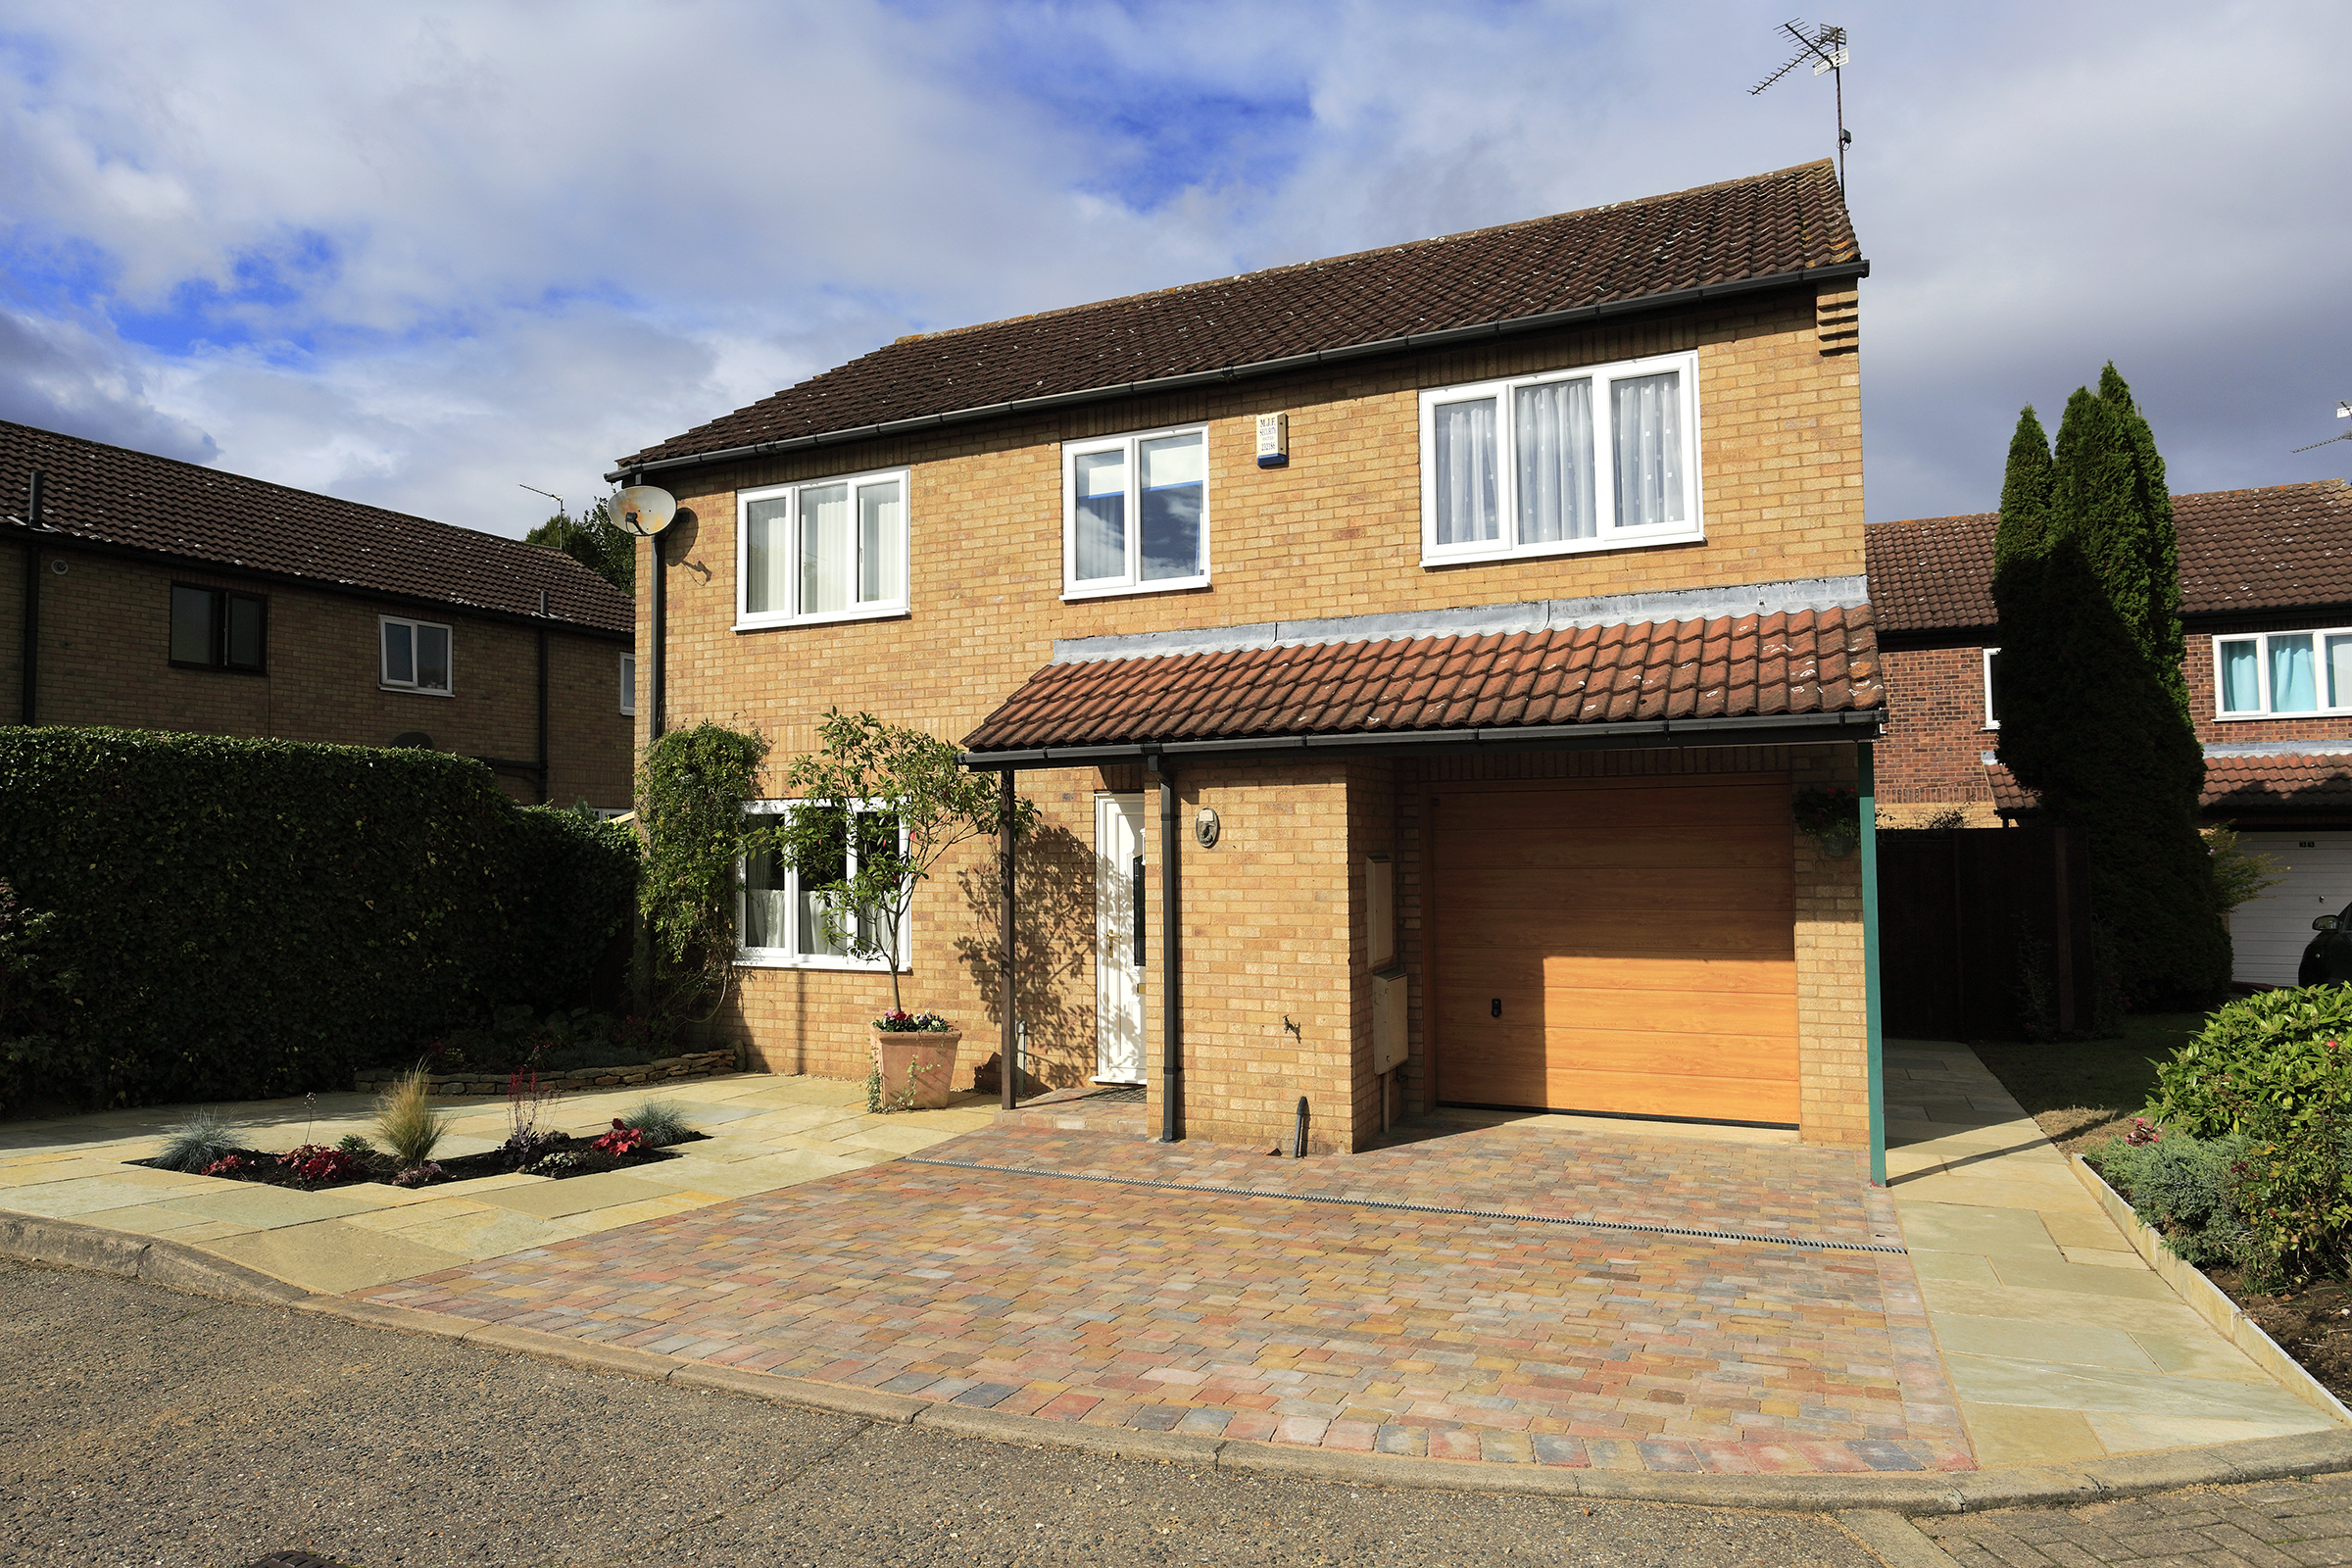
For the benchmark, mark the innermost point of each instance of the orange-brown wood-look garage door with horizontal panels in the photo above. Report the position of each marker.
(1624, 946)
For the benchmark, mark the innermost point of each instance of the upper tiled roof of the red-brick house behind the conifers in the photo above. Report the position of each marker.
(2240, 551)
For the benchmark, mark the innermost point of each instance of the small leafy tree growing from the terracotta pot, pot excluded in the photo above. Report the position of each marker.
(878, 808)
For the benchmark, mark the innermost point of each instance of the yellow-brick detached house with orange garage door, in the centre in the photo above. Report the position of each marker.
(1415, 657)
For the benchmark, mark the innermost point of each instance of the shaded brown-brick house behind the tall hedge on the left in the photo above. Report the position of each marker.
(168, 596)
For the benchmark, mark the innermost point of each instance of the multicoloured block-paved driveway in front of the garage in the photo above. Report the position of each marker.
(1227, 1306)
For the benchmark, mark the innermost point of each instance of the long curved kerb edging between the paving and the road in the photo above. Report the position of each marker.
(88, 1247)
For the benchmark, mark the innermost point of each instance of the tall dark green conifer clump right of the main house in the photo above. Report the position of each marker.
(2087, 721)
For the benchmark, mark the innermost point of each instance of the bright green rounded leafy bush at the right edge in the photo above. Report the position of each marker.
(2273, 1047)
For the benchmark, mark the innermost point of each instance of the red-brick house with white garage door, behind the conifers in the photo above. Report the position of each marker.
(2266, 601)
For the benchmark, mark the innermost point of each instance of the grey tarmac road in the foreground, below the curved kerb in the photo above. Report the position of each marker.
(142, 1426)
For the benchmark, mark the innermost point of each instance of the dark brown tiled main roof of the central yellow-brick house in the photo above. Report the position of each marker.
(1746, 229)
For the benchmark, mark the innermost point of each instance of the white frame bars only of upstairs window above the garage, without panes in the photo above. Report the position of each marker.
(1605, 500)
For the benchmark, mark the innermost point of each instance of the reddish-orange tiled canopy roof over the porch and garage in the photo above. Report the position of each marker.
(1728, 669)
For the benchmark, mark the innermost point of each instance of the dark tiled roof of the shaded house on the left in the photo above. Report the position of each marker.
(119, 497)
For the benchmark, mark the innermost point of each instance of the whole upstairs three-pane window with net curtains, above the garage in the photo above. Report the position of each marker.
(1601, 457)
